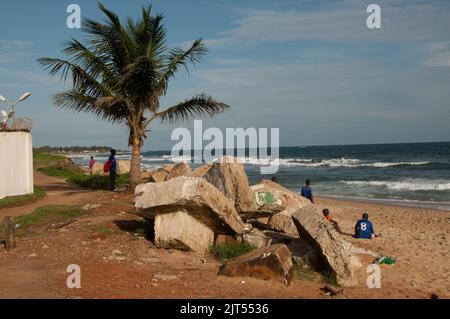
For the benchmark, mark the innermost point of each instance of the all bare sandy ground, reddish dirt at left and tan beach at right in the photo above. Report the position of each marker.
(418, 238)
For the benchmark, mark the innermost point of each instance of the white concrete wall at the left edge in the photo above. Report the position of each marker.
(16, 164)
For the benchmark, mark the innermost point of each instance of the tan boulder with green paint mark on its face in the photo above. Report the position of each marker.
(279, 203)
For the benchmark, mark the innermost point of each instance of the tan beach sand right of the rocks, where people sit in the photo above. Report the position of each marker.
(418, 238)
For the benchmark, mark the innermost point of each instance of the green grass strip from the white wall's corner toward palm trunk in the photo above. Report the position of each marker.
(59, 166)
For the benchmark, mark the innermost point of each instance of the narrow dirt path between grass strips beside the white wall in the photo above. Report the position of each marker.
(59, 192)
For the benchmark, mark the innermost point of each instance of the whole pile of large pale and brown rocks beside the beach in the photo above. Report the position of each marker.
(194, 209)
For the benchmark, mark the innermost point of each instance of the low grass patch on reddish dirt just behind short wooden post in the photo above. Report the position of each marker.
(47, 215)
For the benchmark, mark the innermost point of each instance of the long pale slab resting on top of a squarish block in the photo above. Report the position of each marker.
(195, 196)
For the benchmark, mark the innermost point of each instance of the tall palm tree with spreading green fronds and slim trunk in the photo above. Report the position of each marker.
(122, 71)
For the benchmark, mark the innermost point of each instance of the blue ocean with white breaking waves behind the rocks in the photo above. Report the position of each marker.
(413, 174)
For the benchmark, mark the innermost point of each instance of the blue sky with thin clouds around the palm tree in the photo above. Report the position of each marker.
(311, 68)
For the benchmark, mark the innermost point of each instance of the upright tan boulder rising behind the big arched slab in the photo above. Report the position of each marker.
(228, 176)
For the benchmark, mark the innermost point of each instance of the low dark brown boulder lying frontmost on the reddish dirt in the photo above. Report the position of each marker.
(272, 263)
